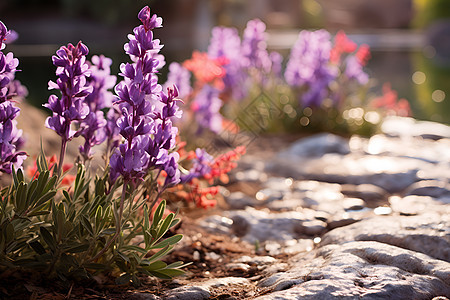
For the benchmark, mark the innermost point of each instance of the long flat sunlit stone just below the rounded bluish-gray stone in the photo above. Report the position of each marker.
(394, 174)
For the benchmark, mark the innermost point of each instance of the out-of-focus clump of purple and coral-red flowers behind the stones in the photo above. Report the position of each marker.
(322, 85)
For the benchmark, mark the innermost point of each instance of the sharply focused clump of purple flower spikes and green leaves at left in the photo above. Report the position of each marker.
(110, 221)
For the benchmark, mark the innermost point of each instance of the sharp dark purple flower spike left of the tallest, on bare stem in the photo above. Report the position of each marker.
(72, 71)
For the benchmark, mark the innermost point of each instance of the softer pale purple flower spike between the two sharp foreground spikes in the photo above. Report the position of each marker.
(94, 127)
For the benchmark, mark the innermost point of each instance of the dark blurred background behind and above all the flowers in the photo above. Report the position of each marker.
(408, 38)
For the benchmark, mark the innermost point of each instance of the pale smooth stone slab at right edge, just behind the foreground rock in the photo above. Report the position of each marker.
(428, 233)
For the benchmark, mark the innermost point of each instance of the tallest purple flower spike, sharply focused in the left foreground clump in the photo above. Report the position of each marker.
(147, 112)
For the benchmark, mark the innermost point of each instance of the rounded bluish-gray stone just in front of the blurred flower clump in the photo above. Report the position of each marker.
(317, 145)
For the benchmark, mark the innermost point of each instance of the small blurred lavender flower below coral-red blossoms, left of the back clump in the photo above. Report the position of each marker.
(207, 106)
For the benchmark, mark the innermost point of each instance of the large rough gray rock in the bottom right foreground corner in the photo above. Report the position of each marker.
(360, 270)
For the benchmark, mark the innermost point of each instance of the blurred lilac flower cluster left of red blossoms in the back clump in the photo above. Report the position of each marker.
(309, 65)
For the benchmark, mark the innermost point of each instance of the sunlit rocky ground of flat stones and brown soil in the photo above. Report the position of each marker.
(320, 218)
